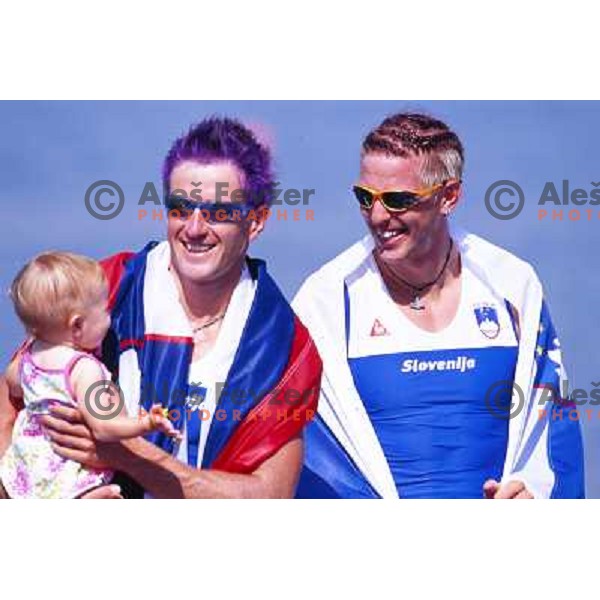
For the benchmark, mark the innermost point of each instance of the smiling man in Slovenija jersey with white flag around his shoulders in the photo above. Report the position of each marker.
(437, 346)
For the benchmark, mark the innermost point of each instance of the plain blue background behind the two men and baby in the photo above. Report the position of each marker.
(51, 152)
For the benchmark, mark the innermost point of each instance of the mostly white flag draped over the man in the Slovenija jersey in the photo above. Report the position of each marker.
(343, 455)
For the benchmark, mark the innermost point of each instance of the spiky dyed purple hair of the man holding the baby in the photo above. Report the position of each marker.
(219, 139)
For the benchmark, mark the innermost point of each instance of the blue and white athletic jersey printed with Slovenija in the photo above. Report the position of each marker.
(425, 393)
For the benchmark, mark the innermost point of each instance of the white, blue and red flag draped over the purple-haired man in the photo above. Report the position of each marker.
(272, 388)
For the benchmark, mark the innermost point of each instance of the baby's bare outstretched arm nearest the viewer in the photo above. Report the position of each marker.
(111, 423)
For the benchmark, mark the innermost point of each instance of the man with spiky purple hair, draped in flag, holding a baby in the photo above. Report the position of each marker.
(203, 329)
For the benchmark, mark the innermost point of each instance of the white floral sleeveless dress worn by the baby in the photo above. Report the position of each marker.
(30, 468)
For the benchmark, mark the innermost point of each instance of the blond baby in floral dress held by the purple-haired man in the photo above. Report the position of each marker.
(61, 298)
